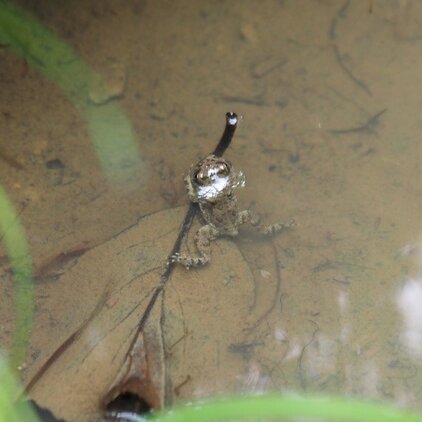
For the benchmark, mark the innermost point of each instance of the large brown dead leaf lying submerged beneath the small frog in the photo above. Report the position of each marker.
(188, 346)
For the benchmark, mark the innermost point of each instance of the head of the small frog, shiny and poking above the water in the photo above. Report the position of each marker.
(212, 179)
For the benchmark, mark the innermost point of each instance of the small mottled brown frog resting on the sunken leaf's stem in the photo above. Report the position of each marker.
(211, 183)
